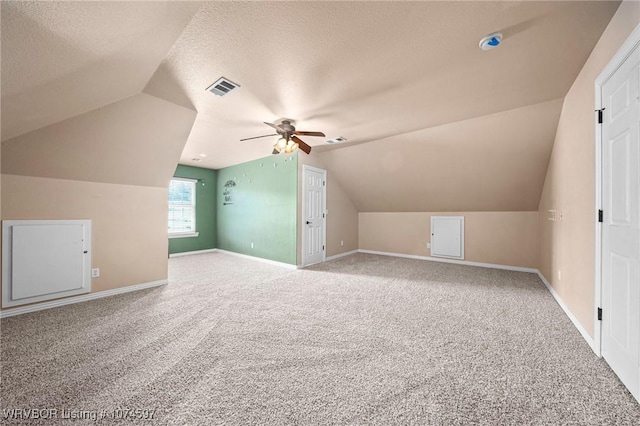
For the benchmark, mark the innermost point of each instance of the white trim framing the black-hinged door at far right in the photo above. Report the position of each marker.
(618, 59)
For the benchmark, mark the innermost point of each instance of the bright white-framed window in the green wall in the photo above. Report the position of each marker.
(182, 208)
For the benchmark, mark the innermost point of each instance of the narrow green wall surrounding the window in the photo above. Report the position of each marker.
(205, 211)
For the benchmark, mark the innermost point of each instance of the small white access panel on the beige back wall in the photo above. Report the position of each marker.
(447, 236)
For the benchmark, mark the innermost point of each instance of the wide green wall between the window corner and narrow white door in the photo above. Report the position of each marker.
(257, 203)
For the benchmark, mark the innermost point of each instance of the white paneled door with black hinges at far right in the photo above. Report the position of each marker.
(620, 227)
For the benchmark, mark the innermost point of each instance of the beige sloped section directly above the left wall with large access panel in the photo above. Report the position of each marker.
(135, 141)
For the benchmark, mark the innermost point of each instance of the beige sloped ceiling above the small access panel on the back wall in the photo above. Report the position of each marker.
(492, 163)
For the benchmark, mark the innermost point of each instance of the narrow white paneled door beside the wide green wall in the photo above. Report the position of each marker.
(313, 215)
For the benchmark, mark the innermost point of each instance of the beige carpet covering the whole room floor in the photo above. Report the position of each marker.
(361, 340)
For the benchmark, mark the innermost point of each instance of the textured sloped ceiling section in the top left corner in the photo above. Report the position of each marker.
(62, 59)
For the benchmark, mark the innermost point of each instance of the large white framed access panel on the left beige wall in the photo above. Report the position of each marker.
(43, 260)
